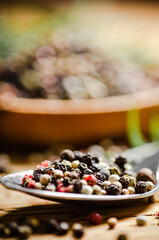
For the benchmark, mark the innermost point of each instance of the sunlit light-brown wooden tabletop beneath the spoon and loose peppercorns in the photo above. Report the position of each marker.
(14, 204)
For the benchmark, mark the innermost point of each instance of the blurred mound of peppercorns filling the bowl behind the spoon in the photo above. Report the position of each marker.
(67, 68)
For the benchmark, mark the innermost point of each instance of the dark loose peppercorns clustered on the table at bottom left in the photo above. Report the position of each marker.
(23, 227)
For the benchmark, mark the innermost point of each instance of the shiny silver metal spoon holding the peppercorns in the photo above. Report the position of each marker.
(13, 181)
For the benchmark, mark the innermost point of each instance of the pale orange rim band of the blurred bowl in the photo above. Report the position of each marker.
(121, 103)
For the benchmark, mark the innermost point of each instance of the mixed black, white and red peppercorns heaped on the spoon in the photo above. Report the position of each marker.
(79, 172)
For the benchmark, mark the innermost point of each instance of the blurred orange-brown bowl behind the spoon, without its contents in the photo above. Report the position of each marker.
(43, 122)
